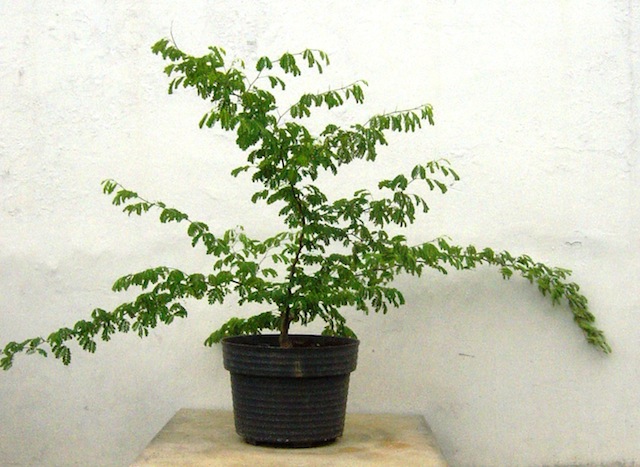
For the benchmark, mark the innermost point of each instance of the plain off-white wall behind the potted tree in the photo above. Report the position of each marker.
(537, 107)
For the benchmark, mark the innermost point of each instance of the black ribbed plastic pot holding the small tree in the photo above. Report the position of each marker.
(293, 397)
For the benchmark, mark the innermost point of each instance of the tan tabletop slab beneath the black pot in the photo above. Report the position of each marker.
(198, 437)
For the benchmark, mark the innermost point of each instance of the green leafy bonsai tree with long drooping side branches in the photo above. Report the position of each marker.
(332, 254)
